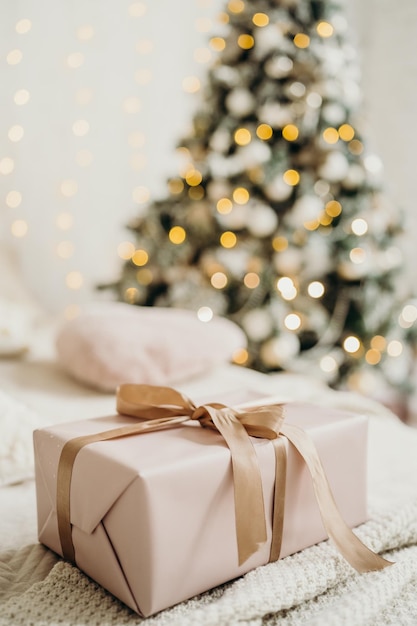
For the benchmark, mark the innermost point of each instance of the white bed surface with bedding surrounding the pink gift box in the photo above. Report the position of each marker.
(314, 586)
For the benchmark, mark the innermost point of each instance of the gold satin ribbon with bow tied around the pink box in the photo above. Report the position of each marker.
(163, 407)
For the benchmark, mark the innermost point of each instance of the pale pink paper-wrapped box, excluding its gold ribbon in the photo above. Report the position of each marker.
(153, 517)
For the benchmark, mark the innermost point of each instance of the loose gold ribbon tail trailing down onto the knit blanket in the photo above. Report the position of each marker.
(353, 550)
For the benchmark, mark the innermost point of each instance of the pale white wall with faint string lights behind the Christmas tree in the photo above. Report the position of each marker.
(94, 97)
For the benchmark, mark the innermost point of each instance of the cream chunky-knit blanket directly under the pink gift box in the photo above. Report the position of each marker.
(314, 587)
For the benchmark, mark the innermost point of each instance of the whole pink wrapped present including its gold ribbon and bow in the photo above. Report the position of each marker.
(181, 498)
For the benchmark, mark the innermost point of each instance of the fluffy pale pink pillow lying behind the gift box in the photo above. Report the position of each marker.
(113, 343)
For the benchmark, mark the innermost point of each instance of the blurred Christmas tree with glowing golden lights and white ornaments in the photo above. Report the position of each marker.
(276, 219)
